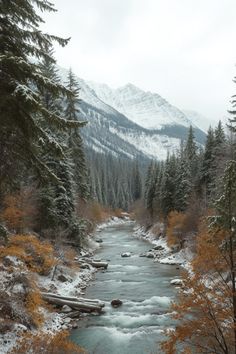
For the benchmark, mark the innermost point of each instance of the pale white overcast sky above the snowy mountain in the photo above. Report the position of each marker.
(185, 50)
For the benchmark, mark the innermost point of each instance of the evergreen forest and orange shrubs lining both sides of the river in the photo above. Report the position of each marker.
(53, 192)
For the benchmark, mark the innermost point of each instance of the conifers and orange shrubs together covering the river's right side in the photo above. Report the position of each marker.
(192, 194)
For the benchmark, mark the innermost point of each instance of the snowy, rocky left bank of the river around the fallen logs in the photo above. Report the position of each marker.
(68, 280)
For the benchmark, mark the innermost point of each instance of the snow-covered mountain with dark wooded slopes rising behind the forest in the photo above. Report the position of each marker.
(130, 122)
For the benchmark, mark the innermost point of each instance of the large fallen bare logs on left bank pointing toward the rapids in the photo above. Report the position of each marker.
(81, 304)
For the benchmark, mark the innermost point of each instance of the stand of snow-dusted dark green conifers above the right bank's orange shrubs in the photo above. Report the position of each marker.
(191, 174)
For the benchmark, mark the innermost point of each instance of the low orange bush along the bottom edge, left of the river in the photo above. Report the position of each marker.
(46, 344)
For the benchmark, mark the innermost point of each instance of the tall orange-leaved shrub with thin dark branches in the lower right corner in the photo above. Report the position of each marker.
(205, 311)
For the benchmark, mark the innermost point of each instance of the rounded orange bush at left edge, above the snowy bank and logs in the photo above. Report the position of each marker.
(38, 256)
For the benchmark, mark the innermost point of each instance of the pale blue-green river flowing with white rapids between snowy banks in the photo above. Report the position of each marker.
(144, 287)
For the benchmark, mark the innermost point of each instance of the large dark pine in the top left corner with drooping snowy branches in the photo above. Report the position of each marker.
(23, 116)
